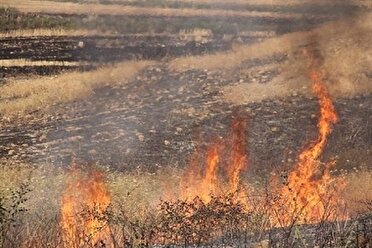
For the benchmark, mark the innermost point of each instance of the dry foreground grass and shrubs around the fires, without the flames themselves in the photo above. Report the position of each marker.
(138, 217)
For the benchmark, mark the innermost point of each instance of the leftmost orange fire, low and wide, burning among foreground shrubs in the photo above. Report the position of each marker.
(83, 204)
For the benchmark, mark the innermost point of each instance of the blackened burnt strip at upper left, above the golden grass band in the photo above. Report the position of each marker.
(97, 50)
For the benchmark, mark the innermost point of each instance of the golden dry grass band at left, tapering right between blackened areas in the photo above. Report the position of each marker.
(40, 92)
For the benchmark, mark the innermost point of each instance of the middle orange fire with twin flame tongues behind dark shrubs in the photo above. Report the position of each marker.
(202, 182)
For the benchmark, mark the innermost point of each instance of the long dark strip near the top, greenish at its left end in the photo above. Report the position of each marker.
(11, 19)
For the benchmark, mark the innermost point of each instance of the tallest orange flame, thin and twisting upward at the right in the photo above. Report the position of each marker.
(309, 191)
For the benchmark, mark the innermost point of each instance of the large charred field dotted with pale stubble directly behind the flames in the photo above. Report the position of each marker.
(135, 125)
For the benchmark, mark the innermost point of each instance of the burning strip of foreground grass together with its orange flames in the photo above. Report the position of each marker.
(93, 213)
